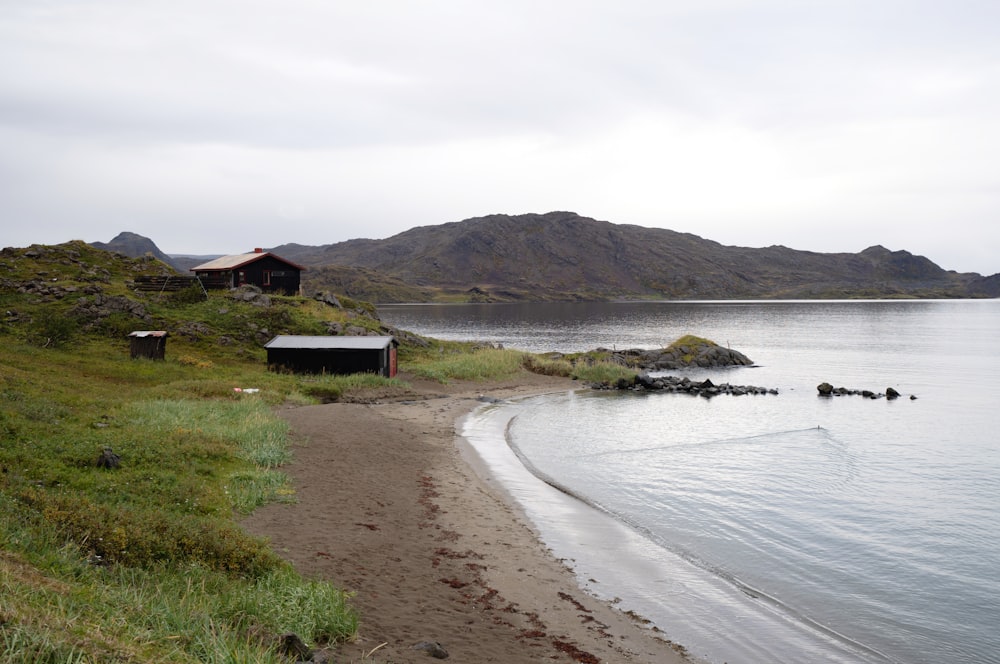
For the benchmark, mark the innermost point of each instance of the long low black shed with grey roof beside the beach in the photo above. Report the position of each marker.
(332, 355)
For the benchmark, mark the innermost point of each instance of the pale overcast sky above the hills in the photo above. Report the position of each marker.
(216, 126)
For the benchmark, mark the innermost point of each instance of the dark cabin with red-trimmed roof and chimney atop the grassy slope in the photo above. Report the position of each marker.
(267, 271)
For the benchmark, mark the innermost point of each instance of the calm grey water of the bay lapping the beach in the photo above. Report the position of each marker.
(771, 528)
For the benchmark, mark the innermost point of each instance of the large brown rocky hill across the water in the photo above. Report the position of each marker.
(562, 255)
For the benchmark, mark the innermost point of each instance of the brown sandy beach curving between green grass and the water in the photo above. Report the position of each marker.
(389, 508)
